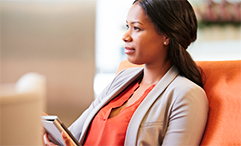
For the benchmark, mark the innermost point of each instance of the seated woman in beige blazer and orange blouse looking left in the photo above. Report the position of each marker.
(160, 104)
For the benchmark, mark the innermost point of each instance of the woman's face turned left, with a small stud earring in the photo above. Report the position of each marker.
(143, 44)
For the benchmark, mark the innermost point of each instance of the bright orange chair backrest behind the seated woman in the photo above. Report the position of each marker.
(222, 84)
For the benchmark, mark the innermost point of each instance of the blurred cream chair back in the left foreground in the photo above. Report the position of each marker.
(21, 105)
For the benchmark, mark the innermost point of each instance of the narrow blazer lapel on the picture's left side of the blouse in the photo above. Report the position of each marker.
(105, 101)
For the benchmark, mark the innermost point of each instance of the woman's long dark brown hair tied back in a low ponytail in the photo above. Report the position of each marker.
(177, 20)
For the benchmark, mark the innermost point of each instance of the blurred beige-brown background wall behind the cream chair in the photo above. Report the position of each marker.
(55, 38)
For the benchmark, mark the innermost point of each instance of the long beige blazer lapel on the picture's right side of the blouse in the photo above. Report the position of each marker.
(131, 134)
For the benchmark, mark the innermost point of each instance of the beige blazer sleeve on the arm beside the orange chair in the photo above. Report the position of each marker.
(188, 117)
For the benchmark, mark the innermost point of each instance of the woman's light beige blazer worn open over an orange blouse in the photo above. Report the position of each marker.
(173, 113)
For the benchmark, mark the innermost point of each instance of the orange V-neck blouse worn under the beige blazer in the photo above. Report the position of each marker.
(112, 131)
